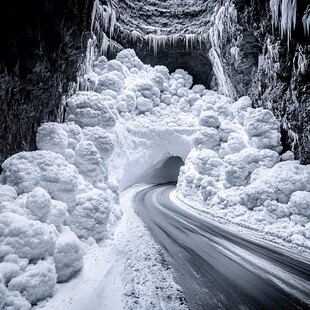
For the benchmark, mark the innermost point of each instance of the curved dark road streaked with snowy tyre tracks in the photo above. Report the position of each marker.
(219, 269)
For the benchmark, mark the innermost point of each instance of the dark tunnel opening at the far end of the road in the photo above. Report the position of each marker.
(164, 171)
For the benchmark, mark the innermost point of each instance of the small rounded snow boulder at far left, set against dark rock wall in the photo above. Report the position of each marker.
(52, 137)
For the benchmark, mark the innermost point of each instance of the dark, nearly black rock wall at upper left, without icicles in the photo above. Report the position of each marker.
(42, 45)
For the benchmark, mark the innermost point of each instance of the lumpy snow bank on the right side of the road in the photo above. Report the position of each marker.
(236, 172)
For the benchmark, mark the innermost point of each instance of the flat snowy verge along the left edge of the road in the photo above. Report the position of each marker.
(127, 271)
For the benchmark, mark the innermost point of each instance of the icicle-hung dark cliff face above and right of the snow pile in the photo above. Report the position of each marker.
(240, 47)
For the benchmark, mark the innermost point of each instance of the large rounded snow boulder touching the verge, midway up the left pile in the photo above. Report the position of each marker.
(90, 216)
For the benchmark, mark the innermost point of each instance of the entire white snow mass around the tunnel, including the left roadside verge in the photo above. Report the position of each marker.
(61, 203)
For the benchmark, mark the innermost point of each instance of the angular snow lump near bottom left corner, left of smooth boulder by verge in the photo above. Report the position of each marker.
(37, 282)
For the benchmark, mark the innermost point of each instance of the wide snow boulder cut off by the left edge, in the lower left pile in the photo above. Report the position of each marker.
(26, 238)
